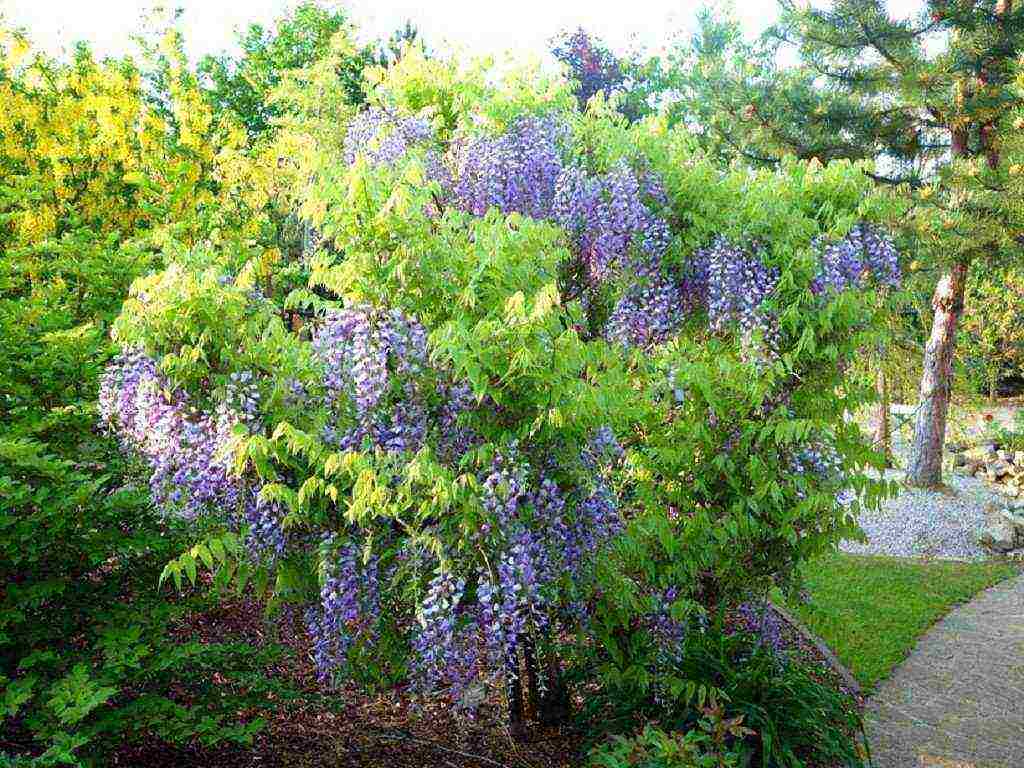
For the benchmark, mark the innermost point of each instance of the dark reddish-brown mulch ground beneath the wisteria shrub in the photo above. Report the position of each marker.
(347, 728)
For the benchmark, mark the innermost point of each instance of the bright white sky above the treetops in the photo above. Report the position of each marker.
(480, 27)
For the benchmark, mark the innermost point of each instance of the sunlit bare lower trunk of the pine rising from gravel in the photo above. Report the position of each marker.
(930, 431)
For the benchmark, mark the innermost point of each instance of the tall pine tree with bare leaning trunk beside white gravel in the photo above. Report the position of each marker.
(928, 99)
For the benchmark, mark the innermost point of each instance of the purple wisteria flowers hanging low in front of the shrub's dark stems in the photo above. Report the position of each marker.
(474, 618)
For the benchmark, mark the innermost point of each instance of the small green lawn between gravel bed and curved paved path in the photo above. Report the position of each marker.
(871, 611)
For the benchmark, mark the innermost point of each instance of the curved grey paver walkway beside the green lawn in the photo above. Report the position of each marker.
(959, 701)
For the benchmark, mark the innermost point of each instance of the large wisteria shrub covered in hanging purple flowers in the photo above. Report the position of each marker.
(557, 389)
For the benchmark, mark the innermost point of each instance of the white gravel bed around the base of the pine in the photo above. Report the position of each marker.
(929, 524)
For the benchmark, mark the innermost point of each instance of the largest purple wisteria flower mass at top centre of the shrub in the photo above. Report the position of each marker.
(611, 219)
